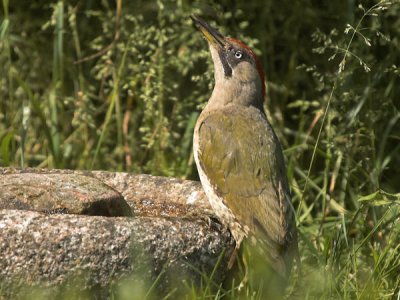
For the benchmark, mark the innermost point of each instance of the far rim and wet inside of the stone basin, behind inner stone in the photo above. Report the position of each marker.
(148, 195)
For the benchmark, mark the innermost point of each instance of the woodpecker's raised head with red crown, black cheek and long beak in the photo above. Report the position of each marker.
(236, 66)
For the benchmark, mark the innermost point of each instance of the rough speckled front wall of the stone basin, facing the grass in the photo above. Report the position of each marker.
(51, 250)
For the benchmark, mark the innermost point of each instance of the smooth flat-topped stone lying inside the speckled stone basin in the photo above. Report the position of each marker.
(61, 193)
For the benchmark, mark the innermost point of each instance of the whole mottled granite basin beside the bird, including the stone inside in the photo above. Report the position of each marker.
(164, 233)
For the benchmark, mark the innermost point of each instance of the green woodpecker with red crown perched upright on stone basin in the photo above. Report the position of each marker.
(239, 157)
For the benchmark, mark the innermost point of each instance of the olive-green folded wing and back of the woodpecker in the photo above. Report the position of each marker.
(242, 158)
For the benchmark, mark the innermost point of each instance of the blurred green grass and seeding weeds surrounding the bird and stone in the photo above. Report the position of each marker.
(118, 85)
